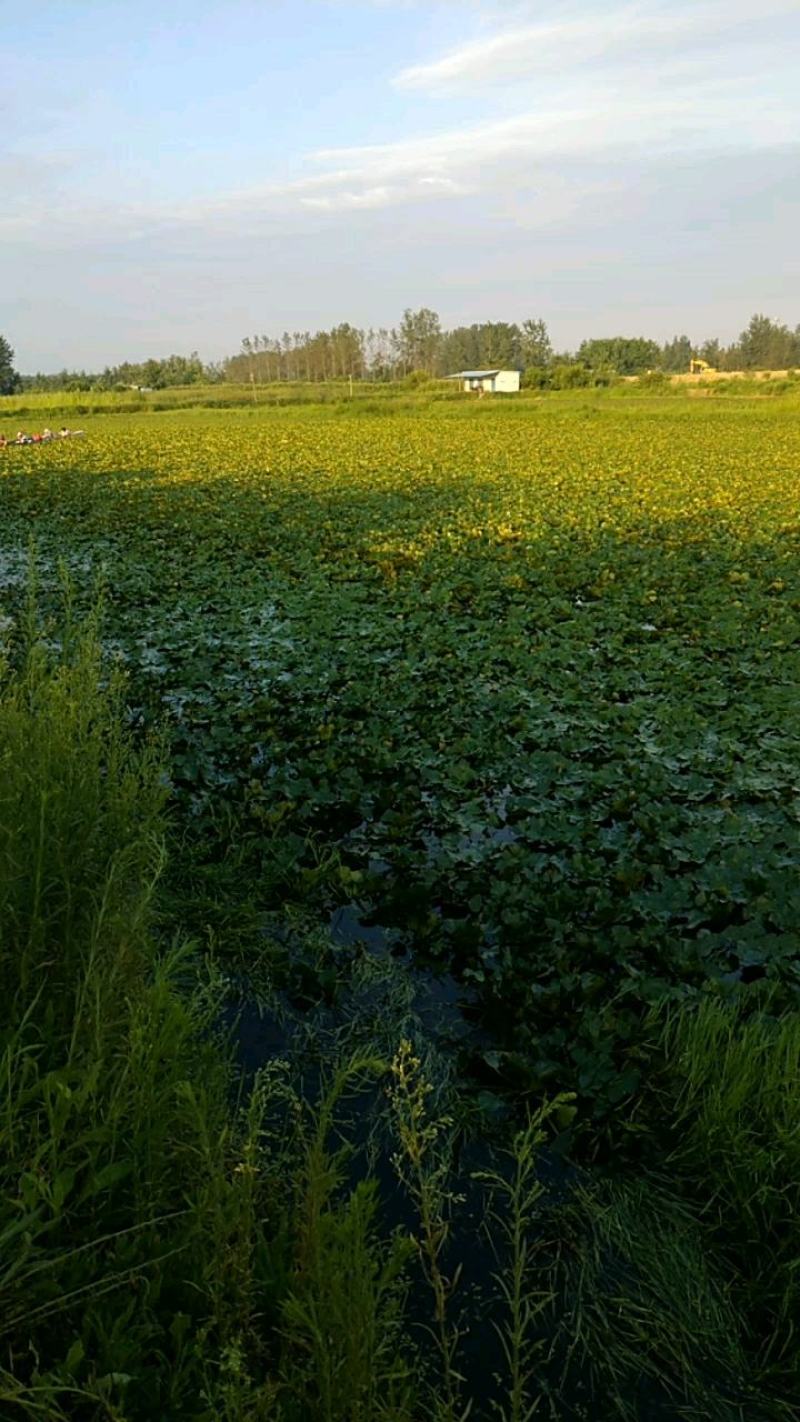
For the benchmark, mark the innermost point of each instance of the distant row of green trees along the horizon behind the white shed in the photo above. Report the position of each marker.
(421, 348)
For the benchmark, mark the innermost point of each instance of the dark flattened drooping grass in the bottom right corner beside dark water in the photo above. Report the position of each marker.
(643, 1313)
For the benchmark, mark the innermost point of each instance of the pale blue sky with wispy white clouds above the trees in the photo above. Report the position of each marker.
(177, 177)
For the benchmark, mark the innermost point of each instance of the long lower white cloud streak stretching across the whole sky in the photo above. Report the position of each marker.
(526, 151)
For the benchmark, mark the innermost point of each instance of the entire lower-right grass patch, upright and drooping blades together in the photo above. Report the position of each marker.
(681, 1289)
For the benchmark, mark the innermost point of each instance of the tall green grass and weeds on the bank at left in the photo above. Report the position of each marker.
(123, 1218)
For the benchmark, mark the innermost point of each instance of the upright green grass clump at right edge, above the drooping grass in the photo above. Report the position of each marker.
(733, 1096)
